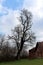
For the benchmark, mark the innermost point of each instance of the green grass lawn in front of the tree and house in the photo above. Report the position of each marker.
(24, 62)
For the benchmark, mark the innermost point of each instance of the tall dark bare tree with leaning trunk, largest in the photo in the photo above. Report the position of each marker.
(22, 33)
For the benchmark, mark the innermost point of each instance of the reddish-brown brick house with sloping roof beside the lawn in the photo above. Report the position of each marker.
(36, 52)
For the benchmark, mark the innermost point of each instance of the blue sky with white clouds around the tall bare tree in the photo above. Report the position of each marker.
(9, 11)
